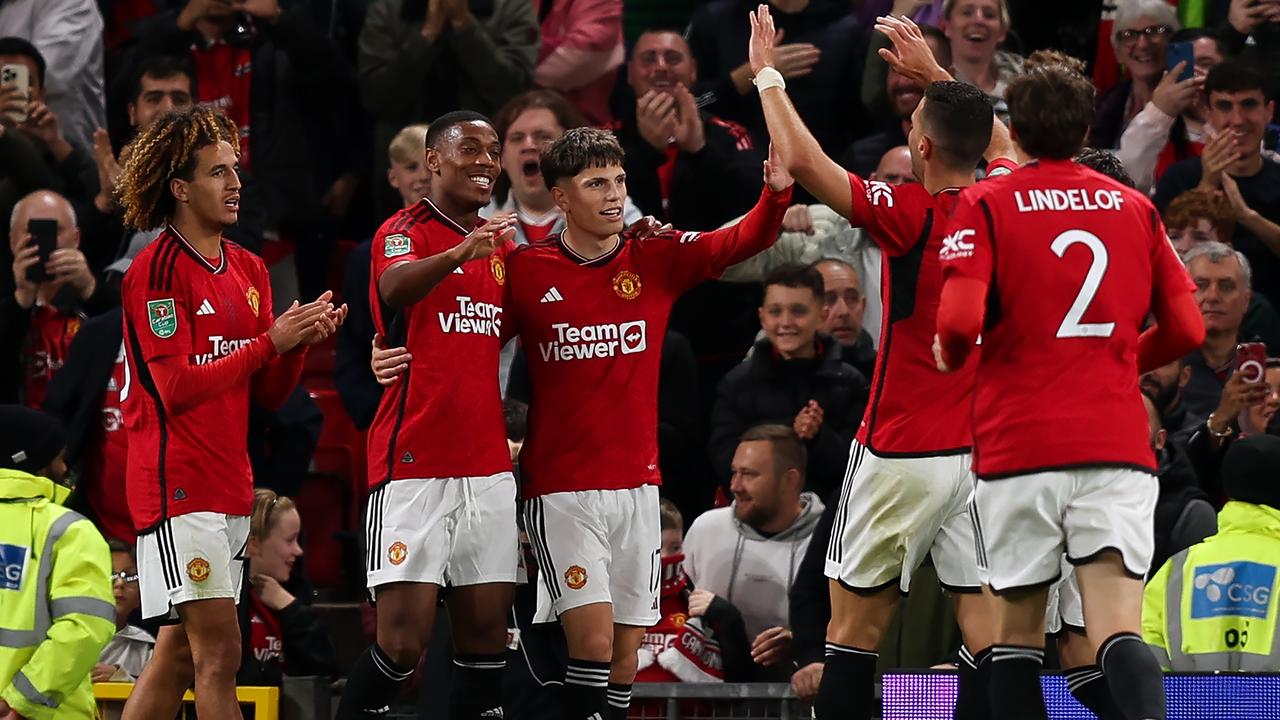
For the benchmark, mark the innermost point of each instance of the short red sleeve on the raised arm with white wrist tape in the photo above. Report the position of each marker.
(893, 216)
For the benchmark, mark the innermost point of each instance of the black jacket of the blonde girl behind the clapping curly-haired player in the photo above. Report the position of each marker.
(308, 649)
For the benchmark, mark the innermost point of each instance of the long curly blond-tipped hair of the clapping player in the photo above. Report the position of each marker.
(163, 151)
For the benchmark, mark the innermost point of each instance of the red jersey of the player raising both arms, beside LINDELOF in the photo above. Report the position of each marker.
(908, 225)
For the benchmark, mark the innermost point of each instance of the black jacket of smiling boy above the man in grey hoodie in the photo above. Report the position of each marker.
(765, 389)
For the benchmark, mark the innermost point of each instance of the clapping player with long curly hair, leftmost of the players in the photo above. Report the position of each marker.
(200, 341)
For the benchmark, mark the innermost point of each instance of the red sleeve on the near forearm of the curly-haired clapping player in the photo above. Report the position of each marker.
(184, 386)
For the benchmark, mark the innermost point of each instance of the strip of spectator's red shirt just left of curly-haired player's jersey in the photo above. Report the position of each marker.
(107, 459)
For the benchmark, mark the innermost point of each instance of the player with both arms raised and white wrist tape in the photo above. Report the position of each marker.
(904, 463)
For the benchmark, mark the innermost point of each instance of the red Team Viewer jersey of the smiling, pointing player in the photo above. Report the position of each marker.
(444, 418)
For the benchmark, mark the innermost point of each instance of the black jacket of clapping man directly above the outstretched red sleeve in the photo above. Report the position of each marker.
(708, 189)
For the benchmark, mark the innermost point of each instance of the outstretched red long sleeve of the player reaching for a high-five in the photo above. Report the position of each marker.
(692, 258)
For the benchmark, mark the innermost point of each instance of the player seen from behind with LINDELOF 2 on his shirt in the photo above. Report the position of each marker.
(1058, 267)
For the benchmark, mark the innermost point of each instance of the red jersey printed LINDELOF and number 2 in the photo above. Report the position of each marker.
(1073, 261)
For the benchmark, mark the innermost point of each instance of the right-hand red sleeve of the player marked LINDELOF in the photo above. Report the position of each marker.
(1180, 326)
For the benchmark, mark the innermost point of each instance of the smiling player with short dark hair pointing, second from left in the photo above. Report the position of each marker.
(444, 499)
